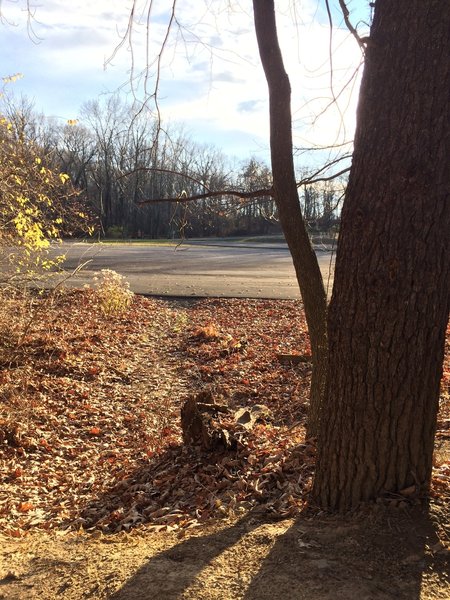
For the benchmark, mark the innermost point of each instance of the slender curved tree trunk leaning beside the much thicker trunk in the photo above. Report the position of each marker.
(287, 200)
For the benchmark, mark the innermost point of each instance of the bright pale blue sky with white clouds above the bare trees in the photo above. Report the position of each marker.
(210, 78)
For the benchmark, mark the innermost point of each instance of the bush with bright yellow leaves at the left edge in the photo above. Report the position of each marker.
(37, 204)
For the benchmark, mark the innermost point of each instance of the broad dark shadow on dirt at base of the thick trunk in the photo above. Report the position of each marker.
(375, 555)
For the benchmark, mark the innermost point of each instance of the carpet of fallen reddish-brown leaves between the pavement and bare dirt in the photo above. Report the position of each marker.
(90, 412)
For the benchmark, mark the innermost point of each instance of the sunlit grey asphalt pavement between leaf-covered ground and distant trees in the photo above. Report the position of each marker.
(195, 269)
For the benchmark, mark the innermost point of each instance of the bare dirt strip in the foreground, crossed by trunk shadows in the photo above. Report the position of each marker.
(378, 556)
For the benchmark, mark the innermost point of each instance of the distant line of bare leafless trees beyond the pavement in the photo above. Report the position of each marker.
(125, 164)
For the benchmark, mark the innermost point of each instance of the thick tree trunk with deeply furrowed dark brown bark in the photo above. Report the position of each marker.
(390, 303)
